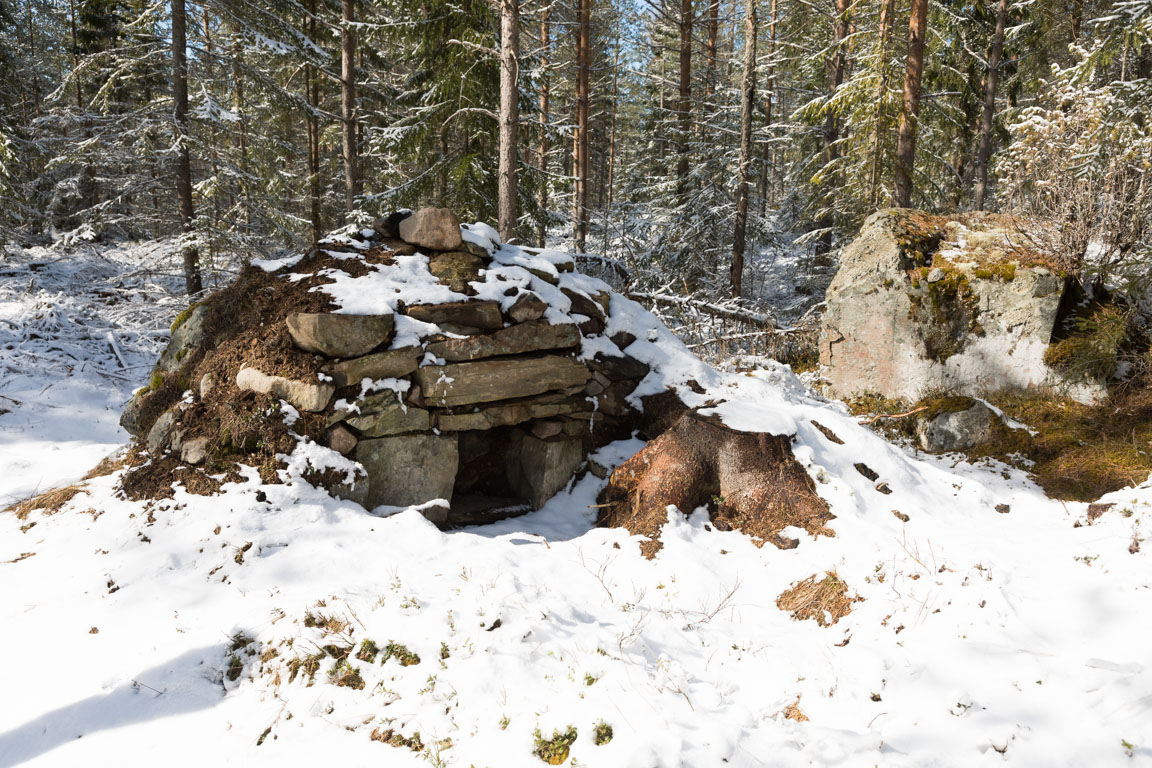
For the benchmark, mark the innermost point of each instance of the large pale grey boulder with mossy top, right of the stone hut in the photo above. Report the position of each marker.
(926, 305)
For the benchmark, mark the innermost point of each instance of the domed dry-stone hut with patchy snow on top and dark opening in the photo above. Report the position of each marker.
(488, 400)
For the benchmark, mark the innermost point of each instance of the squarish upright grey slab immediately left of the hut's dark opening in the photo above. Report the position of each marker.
(408, 470)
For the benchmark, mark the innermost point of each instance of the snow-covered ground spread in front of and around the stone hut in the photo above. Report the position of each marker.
(982, 637)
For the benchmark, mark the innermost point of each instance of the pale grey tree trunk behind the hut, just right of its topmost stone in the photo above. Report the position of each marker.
(510, 117)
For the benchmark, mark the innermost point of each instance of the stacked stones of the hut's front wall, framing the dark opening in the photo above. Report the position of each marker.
(498, 392)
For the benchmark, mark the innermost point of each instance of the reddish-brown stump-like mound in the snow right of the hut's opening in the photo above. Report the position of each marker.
(749, 482)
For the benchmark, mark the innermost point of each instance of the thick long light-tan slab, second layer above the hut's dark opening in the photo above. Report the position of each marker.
(487, 382)
